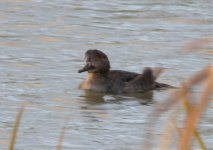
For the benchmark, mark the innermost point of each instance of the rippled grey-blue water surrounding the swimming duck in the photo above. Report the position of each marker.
(42, 43)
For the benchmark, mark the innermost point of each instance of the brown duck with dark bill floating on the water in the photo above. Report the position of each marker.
(101, 79)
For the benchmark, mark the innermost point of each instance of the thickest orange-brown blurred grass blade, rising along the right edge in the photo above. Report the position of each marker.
(194, 113)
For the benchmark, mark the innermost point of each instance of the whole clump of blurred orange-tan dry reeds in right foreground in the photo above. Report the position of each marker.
(194, 106)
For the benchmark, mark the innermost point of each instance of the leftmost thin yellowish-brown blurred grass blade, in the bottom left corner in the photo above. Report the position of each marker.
(15, 128)
